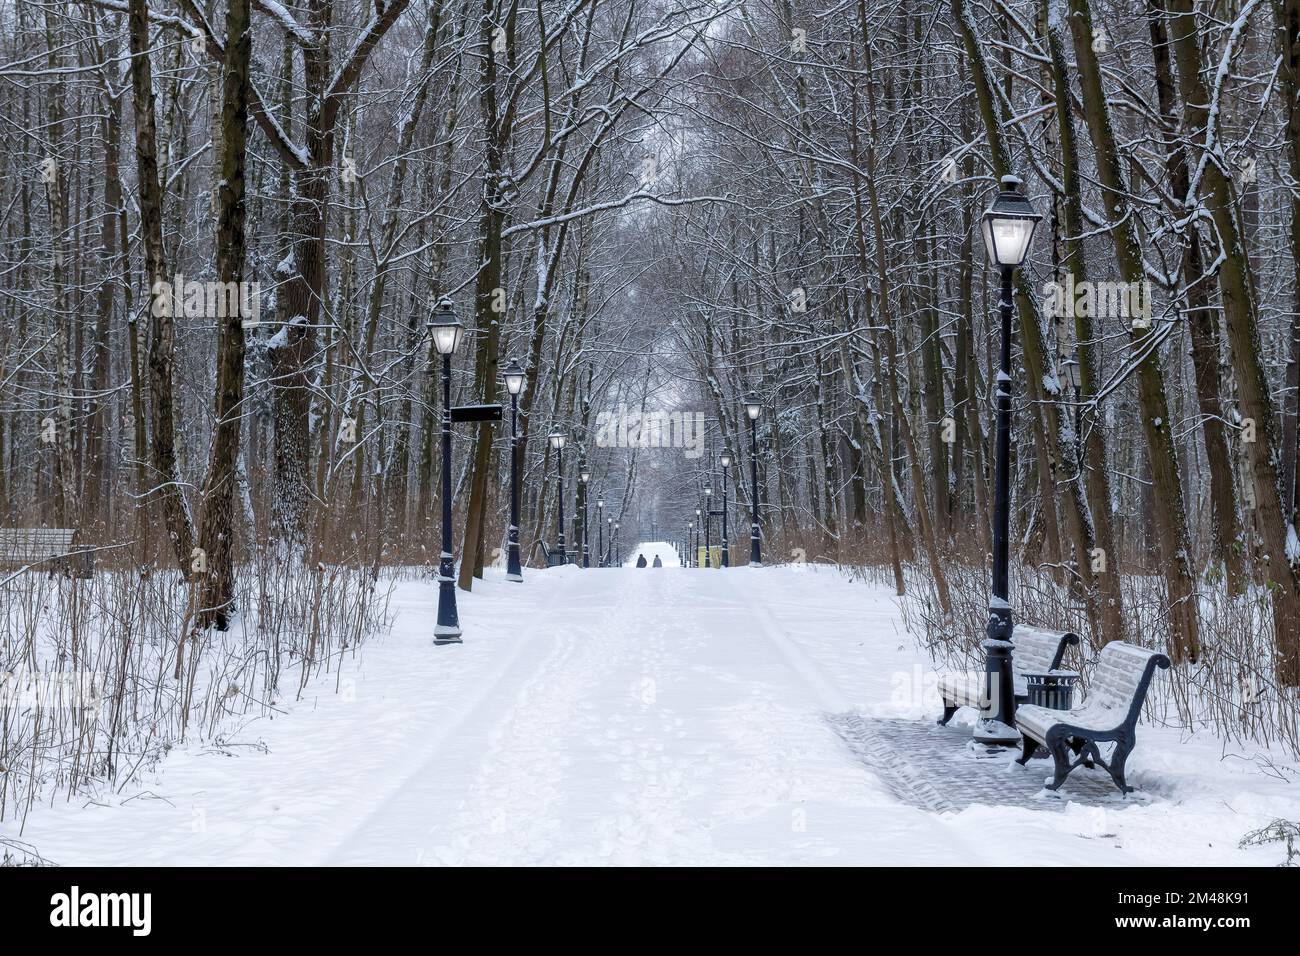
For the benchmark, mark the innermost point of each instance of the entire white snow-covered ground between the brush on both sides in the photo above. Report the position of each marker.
(625, 716)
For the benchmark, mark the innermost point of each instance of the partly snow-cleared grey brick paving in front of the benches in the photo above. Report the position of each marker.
(941, 769)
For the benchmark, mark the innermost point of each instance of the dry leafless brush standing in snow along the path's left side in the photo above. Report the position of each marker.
(99, 678)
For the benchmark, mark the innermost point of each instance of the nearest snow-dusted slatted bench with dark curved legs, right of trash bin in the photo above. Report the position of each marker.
(1111, 712)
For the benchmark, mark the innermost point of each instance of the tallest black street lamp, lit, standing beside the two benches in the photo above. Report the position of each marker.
(1008, 228)
